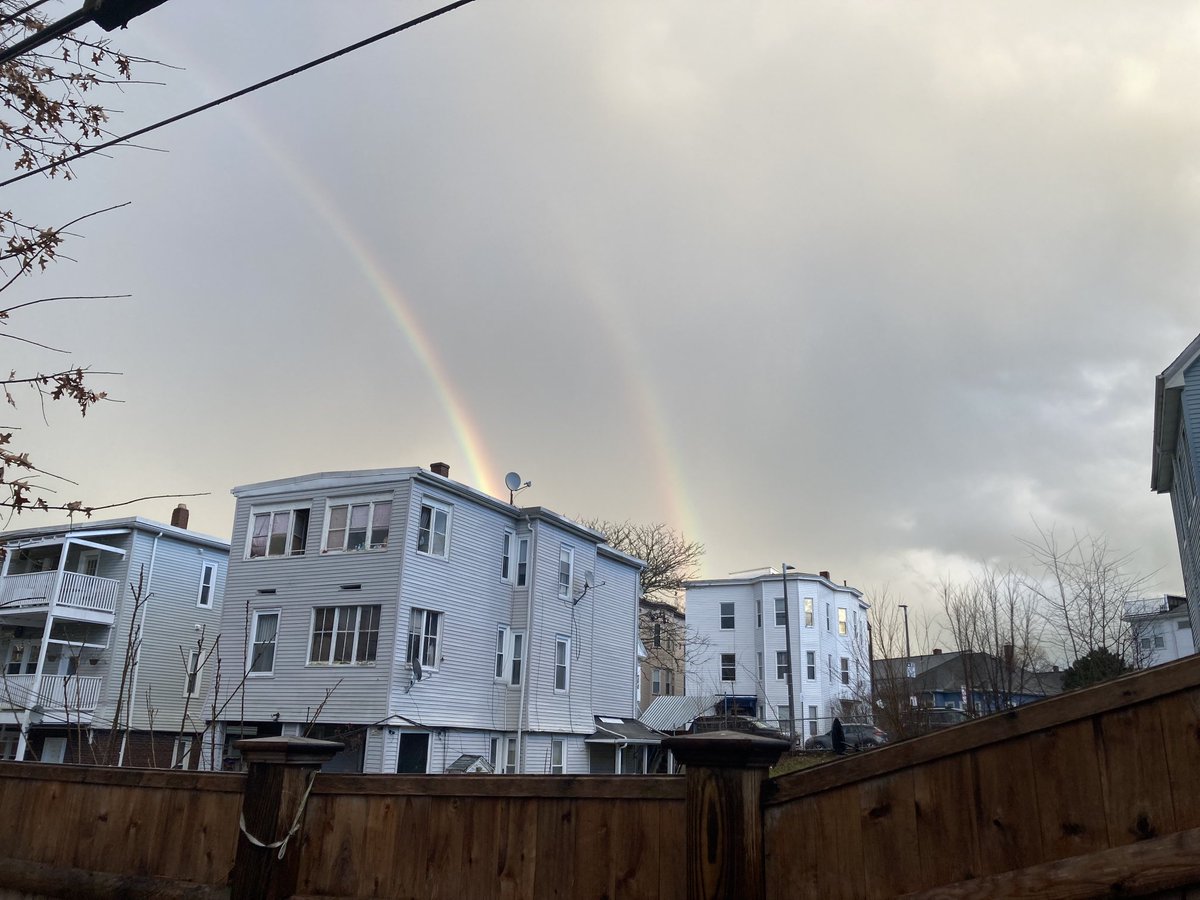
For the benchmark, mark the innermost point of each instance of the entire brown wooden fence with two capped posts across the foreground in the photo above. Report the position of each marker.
(1095, 794)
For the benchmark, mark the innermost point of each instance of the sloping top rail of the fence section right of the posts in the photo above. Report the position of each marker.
(1126, 692)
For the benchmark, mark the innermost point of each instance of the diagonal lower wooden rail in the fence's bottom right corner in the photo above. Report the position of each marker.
(1131, 871)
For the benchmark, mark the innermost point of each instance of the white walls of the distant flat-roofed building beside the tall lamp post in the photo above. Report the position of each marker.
(748, 639)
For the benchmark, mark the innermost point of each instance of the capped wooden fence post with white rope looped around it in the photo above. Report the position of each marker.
(280, 775)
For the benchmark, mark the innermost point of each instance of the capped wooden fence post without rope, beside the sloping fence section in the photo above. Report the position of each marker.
(725, 775)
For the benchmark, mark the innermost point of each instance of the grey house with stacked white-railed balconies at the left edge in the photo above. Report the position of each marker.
(71, 668)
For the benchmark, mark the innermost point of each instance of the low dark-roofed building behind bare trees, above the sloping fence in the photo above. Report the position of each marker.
(979, 683)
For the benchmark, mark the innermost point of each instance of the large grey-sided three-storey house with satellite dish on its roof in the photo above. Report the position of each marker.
(419, 621)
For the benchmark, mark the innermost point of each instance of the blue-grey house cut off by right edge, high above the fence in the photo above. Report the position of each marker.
(1175, 467)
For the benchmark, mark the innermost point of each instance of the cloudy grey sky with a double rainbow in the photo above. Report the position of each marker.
(869, 289)
